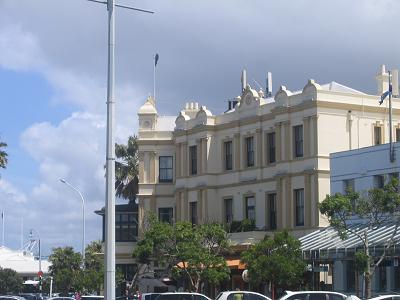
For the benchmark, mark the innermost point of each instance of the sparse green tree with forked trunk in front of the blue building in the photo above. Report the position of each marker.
(374, 207)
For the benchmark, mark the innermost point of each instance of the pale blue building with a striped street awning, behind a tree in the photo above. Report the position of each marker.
(358, 170)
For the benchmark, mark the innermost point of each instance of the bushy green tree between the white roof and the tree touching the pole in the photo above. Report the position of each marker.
(66, 270)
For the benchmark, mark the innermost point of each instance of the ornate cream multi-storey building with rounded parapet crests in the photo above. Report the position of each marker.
(266, 159)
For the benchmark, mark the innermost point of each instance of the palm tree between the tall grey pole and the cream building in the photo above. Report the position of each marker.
(126, 169)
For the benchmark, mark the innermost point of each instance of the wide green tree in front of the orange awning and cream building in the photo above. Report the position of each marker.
(191, 252)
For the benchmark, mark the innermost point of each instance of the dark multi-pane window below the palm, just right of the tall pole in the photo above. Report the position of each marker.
(126, 227)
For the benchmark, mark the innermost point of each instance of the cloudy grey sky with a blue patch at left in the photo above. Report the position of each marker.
(53, 76)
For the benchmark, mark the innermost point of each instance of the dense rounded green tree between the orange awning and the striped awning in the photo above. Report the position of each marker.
(277, 260)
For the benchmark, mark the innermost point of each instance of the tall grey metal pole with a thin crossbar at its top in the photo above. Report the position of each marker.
(109, 282)
